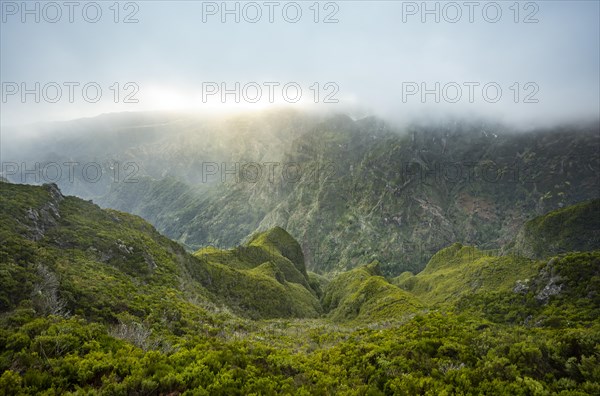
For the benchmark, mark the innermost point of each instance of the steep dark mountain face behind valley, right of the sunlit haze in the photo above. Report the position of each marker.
(402, 197)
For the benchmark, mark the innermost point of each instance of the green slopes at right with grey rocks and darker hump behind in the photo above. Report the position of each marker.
(560, 289)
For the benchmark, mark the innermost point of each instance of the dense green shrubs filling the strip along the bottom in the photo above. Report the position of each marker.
(429, 354)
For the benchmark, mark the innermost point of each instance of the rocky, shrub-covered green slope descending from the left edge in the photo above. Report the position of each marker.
(63, 256)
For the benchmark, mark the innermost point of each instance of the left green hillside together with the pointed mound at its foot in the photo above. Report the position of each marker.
(63, 254)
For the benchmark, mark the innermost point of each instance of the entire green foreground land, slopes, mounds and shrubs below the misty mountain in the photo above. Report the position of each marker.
(97, 302)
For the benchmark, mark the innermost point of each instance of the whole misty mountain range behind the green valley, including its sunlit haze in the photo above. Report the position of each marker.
(399, 194)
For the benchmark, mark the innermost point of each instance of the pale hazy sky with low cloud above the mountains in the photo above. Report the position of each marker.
(376, 59)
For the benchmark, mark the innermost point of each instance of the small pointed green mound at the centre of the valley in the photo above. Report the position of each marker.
(266, 278)
